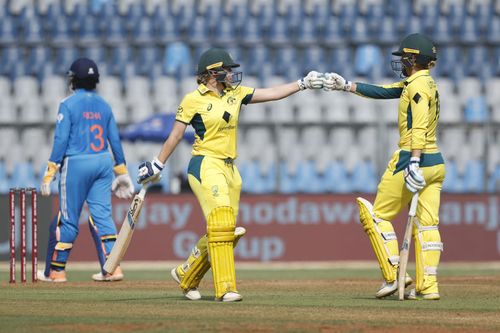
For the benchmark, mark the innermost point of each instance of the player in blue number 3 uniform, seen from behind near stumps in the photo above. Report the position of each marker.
(85, 126)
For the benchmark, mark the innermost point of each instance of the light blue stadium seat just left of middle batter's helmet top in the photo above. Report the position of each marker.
(177, 60)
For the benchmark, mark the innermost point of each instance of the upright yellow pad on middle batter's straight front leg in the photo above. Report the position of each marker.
(221, 226)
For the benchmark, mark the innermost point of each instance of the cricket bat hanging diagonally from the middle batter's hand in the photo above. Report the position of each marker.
(126, 231)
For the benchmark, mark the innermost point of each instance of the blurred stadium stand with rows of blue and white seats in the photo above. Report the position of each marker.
(147, 52)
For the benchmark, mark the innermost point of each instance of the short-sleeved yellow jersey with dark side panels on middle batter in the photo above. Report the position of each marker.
(214, 118)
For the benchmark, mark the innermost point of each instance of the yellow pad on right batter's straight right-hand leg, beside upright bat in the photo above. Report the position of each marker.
(428, 249)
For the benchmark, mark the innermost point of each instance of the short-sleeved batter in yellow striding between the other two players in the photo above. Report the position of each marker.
(213, 110)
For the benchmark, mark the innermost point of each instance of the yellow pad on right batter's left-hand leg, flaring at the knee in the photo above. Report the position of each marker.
(383, 239)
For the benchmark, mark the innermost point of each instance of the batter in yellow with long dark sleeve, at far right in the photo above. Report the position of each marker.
(417, 166)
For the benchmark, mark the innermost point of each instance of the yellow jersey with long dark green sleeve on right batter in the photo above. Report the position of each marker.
(418, 111)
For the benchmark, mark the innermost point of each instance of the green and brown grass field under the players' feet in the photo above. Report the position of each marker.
(336, 297)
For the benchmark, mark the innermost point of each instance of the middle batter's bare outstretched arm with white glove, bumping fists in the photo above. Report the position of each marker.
(313, 80)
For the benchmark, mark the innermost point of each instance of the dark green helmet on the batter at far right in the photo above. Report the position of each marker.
(420, 45)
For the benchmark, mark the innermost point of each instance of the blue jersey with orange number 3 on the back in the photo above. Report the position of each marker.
(85, 125)
